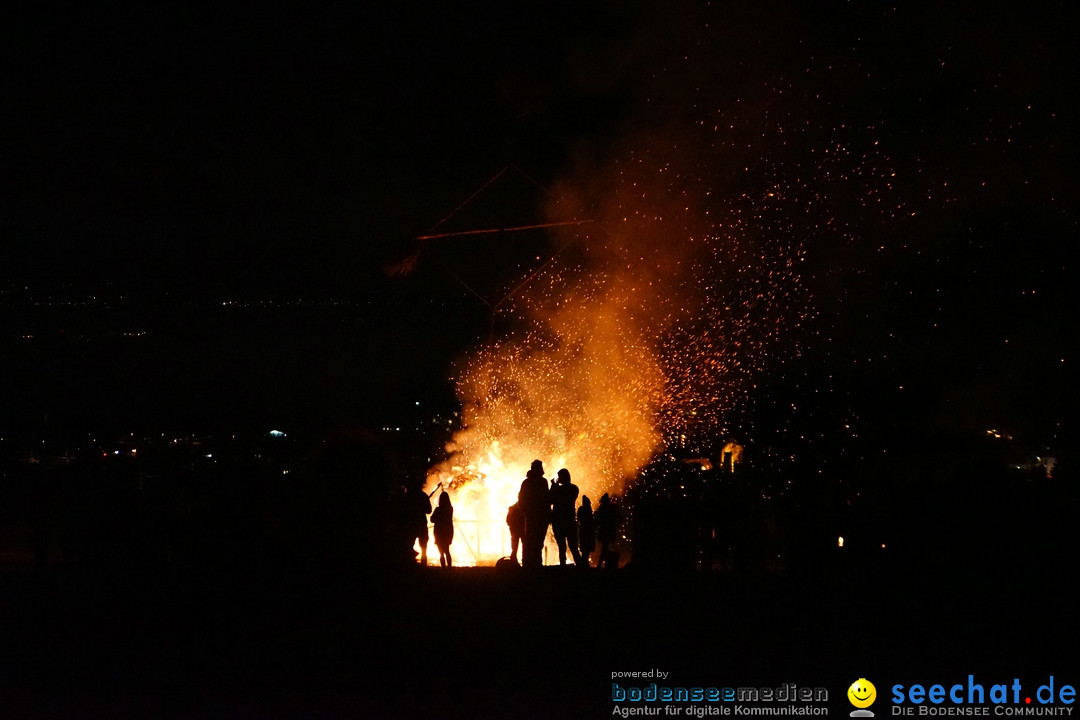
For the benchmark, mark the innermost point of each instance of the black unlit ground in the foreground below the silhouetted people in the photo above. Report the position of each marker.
(224, 643)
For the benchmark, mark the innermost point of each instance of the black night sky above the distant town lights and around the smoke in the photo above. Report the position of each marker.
(167, 157)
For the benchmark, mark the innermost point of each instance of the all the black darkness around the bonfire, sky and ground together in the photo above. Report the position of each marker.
(199, 214)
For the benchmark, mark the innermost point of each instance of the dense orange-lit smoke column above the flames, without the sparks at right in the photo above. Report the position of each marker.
(595, 381)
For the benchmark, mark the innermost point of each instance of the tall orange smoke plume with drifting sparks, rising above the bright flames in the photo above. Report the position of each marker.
(655, 323)
